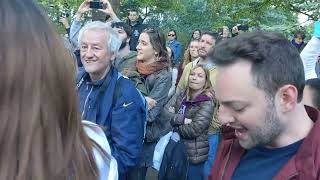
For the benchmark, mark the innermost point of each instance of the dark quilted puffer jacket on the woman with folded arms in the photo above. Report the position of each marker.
(195, 135)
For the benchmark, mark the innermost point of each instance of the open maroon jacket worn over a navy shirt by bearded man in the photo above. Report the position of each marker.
(305, 164)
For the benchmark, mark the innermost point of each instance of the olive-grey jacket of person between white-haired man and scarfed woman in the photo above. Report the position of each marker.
(127, 67)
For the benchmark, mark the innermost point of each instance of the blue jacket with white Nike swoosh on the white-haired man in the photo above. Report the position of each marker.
(123, 119)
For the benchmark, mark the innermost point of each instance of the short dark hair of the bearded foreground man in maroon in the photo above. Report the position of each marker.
(275, 62)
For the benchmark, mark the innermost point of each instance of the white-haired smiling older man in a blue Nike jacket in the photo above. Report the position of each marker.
(107, 98)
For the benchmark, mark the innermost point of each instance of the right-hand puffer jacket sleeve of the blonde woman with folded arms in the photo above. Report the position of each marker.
(200, 121)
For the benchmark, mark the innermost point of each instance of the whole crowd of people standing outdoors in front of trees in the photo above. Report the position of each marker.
(114, 100)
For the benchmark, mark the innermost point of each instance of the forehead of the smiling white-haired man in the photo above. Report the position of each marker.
(94, 36)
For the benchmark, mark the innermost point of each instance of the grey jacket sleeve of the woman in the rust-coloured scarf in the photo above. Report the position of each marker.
(160, 94)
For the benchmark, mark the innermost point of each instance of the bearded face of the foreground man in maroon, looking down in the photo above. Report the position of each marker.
(244, 107)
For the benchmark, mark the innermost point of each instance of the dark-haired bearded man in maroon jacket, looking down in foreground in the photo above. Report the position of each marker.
(268, 133)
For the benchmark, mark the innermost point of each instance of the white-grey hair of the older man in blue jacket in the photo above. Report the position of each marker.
(113, 40)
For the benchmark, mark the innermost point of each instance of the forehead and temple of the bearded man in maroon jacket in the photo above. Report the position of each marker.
(235, 83)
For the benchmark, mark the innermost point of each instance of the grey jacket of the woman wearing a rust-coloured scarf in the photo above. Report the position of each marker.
(157, 85)
